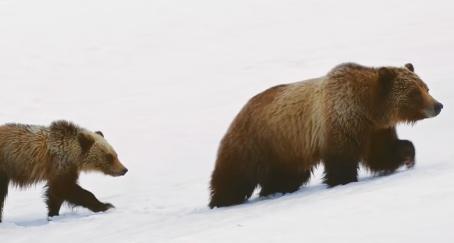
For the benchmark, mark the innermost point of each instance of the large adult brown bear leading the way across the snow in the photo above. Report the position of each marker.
(339, 119)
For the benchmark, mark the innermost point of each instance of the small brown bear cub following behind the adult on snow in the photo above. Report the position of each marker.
(56, 154)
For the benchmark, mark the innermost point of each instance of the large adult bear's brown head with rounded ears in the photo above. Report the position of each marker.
(405, 96)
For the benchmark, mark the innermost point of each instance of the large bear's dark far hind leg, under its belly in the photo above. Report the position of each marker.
(283, 180)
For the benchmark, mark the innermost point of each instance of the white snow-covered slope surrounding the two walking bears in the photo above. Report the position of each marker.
(163, 79)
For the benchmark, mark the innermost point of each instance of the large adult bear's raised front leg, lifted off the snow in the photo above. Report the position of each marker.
(385, 153)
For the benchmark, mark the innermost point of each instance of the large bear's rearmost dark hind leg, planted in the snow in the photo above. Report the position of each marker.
(230, 186)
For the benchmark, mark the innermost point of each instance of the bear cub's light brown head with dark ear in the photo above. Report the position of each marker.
(98, 154)
